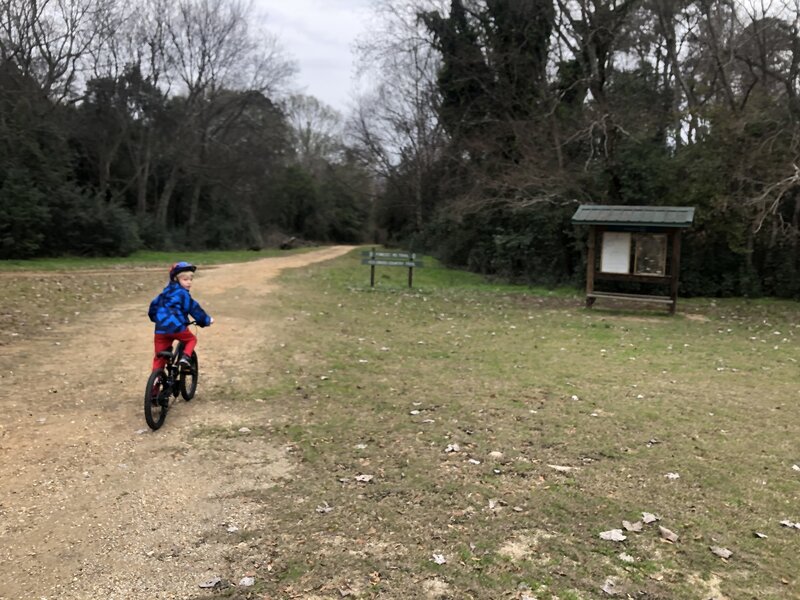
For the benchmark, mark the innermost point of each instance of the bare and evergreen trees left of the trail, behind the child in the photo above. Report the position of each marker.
(152, 123)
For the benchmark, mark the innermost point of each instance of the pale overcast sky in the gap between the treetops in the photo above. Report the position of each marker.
(319, 35)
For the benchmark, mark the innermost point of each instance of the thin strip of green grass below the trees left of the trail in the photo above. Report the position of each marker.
(142, 258)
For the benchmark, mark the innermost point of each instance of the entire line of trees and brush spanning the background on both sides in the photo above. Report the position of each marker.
(168, 124)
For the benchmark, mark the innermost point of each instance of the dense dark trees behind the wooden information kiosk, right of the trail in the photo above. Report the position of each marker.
(495, 119)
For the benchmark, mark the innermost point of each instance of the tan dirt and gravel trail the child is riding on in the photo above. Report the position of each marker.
(94, 505)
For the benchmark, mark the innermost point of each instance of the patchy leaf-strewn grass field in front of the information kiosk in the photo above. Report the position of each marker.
(461, 440)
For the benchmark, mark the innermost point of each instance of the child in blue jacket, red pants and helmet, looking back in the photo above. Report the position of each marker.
(170, 311)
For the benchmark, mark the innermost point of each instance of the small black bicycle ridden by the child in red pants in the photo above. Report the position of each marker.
(165, 384)
